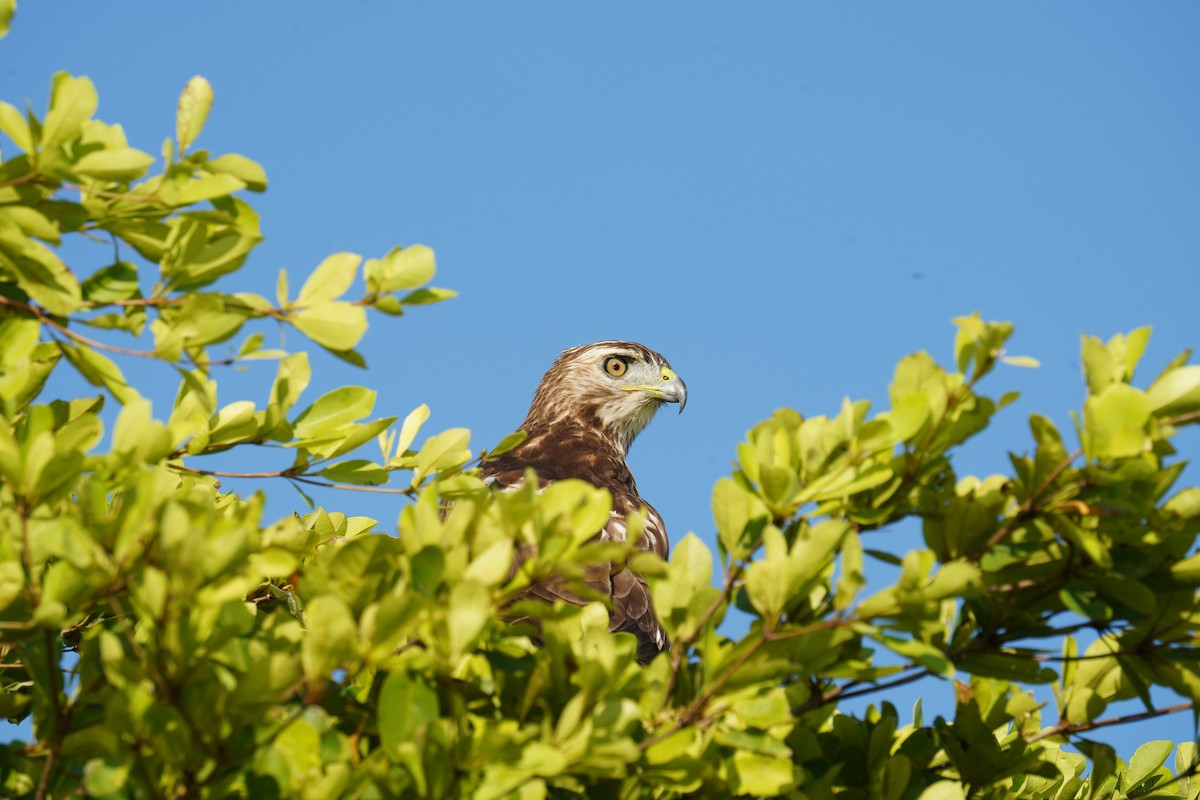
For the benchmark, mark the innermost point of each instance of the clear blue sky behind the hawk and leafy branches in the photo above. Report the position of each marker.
(783, 199)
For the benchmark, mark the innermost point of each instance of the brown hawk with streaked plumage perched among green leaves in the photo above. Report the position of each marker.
(589, 410)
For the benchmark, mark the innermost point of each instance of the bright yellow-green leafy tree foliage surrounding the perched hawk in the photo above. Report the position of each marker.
(167, 641)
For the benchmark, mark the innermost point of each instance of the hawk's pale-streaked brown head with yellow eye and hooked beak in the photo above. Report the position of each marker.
(614, 387)
